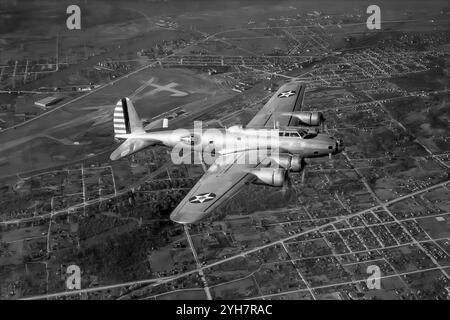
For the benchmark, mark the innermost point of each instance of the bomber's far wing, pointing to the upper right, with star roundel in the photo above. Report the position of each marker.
(289, 98)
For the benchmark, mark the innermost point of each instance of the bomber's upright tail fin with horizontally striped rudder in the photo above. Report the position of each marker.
(126, 119)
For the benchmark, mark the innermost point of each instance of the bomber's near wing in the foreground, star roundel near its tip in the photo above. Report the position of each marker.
(220, 182)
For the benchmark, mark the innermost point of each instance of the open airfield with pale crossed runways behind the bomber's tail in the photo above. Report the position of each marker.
(30, 148)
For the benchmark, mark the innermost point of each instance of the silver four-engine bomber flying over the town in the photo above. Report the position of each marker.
(229, 168)
